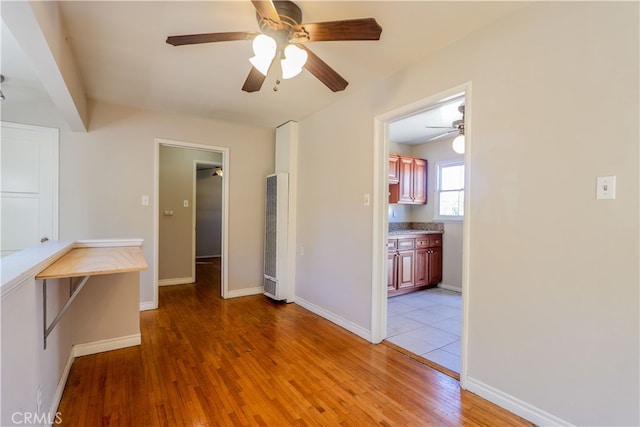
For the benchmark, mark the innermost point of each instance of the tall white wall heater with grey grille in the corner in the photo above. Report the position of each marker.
(276, 284)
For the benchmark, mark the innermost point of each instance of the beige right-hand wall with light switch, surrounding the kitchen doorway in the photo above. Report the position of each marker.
(553, 293)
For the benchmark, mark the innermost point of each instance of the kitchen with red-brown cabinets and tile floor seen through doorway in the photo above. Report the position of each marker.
(424, 246)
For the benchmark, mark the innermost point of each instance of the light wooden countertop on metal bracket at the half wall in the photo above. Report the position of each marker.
(95, 261)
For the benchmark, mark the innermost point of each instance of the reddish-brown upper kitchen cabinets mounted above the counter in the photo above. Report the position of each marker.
(411, 184)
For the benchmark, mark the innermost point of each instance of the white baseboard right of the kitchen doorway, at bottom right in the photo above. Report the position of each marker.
(513, 404)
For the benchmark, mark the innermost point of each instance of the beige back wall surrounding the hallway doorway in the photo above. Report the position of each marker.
(105, 171)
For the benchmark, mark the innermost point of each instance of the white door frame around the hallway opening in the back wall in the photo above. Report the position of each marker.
(224, 265)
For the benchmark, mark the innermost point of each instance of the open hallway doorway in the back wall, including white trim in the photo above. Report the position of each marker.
(176, 203)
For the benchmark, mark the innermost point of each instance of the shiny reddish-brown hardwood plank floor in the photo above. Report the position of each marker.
(250, 361)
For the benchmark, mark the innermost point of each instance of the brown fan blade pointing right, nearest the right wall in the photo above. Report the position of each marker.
(351, 29)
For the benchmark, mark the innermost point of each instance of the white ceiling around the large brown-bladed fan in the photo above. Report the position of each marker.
(120, 51)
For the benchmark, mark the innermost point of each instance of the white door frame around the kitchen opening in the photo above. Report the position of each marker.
(381, 211)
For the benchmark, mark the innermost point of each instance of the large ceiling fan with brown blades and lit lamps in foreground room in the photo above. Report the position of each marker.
(280, 21)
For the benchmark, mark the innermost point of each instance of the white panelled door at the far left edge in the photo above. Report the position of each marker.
(29, 186)
